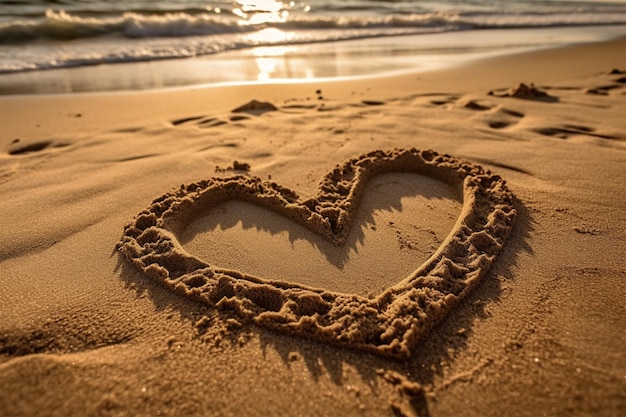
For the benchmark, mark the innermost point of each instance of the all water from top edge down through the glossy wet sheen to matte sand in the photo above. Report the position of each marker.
(62, 34)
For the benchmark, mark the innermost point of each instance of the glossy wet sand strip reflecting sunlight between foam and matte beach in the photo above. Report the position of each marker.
(344, 60)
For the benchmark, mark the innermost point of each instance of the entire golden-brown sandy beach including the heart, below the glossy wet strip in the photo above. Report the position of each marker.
(432, 244)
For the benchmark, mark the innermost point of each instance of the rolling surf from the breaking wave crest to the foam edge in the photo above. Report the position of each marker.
(25, 45)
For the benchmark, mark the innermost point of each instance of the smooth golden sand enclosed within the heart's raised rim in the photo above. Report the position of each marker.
(401, 219)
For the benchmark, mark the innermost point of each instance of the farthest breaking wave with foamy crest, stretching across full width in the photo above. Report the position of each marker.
(60, 25)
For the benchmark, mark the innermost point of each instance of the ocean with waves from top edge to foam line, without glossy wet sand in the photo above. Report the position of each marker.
(38, 35)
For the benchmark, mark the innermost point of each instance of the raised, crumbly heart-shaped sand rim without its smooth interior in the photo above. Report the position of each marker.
(390, 324)
